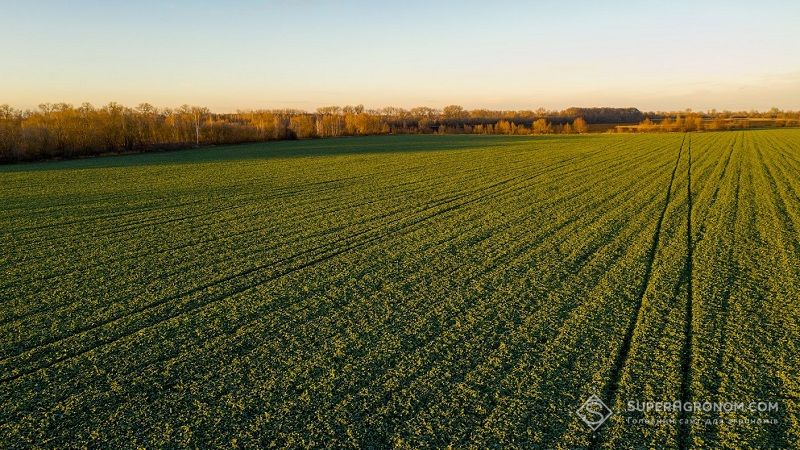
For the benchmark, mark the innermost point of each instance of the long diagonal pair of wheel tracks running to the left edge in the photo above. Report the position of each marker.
(280, 273)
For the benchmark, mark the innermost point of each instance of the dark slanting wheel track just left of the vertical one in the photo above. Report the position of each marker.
(610, 391)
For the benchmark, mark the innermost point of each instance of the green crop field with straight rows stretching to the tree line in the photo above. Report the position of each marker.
(405, 292)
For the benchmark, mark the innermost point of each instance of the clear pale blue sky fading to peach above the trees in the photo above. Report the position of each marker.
(230, 55)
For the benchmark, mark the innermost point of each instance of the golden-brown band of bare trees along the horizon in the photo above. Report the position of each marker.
(64, 131)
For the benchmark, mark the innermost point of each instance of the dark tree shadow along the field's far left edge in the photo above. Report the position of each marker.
(289, 149)
